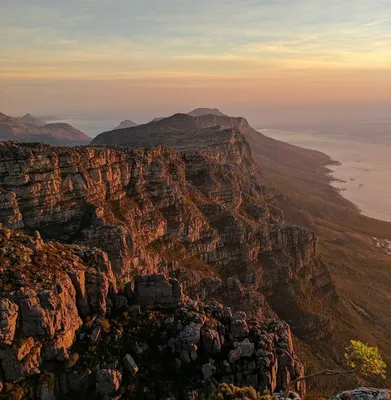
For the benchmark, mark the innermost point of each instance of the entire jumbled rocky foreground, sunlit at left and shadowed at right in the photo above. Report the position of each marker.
(66, 332)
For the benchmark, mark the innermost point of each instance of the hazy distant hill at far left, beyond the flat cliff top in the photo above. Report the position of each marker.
(31, 129)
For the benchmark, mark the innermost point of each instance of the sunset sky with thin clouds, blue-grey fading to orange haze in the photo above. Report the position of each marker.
(143, 58)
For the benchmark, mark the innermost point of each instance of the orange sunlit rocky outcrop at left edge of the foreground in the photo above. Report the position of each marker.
(41, 306)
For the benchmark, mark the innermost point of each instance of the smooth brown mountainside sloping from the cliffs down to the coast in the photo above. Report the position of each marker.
(303, 192)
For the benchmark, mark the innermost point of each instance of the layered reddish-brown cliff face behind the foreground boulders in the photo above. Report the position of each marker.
(201, 213)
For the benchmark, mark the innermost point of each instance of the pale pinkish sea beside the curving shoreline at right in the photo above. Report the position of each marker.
(364, 174)
